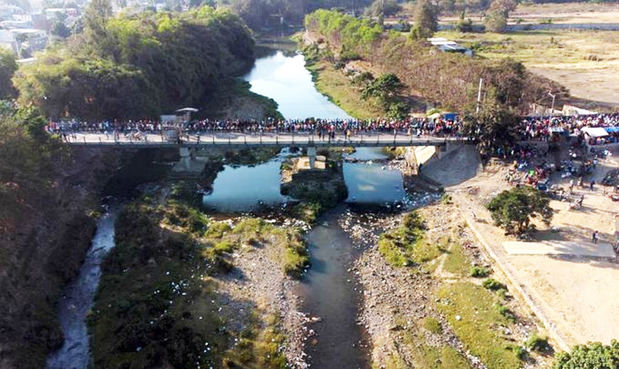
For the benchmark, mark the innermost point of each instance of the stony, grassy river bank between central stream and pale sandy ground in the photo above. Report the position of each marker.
(422, 315)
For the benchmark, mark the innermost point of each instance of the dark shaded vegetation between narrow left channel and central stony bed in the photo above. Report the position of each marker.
(158, 305)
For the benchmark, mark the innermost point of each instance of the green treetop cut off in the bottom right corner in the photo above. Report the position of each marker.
(589, 356)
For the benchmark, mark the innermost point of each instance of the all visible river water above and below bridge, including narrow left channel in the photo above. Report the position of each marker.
(328, 289)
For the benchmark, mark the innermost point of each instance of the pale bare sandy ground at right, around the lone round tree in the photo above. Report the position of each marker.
(575, 296)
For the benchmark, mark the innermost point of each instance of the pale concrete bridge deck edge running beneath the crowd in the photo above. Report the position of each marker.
(253, 140)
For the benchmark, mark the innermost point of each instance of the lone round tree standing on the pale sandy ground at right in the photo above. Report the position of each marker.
(514, 209)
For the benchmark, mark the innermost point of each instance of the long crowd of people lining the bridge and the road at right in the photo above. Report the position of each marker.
(530, 128)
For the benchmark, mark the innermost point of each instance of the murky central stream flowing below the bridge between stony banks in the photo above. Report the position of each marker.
(328, 293)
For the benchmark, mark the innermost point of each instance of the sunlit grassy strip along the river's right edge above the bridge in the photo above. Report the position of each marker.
(333, 83)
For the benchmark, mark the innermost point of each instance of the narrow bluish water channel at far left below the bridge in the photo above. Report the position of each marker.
(79, 297)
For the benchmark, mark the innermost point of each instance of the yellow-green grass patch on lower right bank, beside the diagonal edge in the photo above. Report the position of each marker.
(477, 326)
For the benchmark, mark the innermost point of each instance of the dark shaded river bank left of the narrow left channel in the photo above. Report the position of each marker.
(44, 252)
